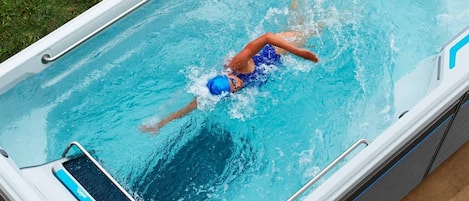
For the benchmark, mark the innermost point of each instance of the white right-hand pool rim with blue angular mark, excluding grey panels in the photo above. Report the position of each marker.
(450, 82)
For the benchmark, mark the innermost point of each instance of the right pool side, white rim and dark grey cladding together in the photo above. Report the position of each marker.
(403, 155)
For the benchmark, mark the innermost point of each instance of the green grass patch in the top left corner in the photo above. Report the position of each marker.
(23, 22)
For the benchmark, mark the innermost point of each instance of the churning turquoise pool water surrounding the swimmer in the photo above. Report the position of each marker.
(260, 144)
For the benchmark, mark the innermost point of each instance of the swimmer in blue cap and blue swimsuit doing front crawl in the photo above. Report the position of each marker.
(245, 68)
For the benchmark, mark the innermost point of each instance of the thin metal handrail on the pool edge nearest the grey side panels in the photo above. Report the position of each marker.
(328, 168)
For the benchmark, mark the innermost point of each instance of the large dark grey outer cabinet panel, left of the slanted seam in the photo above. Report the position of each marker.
(408, 168)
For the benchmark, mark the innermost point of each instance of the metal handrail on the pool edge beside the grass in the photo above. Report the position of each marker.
(46, 58)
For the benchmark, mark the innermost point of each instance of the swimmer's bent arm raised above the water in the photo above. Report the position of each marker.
(241, 60)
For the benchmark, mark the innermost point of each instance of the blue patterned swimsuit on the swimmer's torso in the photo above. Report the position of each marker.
(265, 62)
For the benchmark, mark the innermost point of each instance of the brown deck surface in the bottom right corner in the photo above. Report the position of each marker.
(450, 181)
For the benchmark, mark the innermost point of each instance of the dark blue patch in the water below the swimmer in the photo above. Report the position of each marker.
(196, 169)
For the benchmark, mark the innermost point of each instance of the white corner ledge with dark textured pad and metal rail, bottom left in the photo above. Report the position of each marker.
(71, 178)
